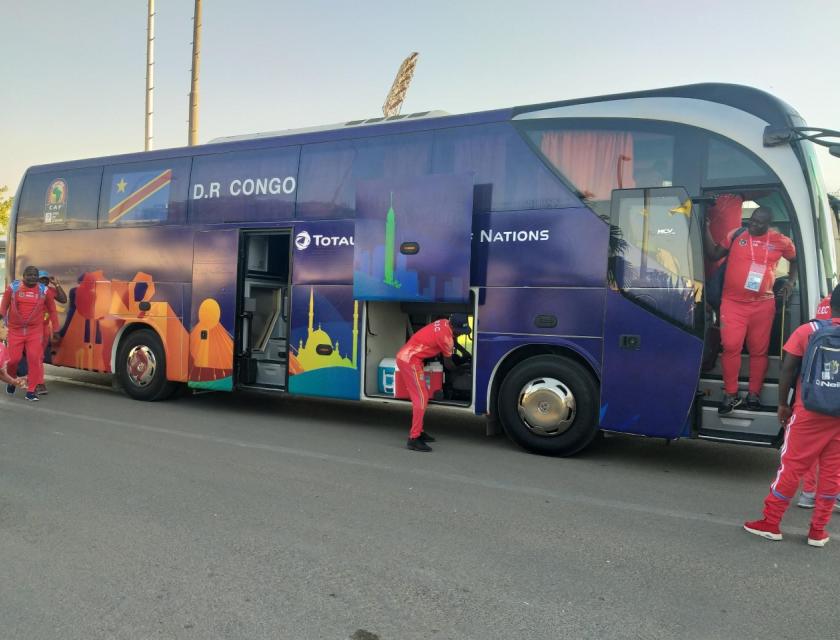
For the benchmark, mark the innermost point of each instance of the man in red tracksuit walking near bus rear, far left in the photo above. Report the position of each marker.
(24, 306)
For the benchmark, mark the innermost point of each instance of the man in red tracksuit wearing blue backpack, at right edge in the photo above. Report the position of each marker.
(810, 438)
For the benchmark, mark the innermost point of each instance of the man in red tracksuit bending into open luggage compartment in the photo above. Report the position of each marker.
(437, 338)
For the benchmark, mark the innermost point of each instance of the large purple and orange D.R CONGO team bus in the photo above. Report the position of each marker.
(570, 233)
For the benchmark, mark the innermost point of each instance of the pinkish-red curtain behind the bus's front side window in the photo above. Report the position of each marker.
(596, 162)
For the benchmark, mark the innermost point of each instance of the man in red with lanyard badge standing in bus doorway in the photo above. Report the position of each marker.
(748, 306)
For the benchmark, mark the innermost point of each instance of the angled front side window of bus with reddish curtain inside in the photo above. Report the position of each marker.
(596, 161)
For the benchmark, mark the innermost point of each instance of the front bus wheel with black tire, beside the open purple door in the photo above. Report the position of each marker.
(570, 394)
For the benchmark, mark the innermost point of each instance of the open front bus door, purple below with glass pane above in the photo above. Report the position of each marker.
(654, 320)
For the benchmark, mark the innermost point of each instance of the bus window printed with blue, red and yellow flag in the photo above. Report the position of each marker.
(144, 193)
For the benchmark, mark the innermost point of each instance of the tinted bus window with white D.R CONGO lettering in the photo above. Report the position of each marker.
(244, 186)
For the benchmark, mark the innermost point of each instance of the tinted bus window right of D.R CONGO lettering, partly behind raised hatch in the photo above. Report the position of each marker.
(329, 172)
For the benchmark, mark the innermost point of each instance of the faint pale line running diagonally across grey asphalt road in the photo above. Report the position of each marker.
(431, 474)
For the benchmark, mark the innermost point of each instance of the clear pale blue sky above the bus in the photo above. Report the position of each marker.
(72, 74)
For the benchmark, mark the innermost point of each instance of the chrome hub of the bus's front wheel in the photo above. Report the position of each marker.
(547, 407)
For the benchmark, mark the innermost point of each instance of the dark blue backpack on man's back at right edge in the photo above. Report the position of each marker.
(820, 391)
